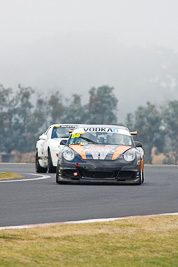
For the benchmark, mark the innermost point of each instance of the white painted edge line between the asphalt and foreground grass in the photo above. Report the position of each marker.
(82, 221)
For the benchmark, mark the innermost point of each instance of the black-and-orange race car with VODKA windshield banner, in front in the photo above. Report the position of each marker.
(101, 153)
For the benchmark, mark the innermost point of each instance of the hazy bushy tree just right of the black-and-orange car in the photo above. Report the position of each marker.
(148, 122)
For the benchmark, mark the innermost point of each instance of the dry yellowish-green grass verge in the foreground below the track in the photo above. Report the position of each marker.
(132, 242)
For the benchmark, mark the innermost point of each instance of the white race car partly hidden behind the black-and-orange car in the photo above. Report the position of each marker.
(48, 146)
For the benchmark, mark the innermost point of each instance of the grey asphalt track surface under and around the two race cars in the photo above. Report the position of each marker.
(31, 200)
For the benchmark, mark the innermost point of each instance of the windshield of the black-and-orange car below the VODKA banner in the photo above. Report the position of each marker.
(103, 138)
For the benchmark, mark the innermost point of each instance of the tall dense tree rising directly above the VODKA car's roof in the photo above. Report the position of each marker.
(102, 106)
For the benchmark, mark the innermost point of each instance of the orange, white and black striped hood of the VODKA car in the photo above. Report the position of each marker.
(100, 152)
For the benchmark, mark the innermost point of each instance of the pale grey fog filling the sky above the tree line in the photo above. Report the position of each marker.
(72, 46)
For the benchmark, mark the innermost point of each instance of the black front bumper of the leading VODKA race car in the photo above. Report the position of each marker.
(100, 171)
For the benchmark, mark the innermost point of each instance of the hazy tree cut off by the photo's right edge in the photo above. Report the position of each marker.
(171, 125)
